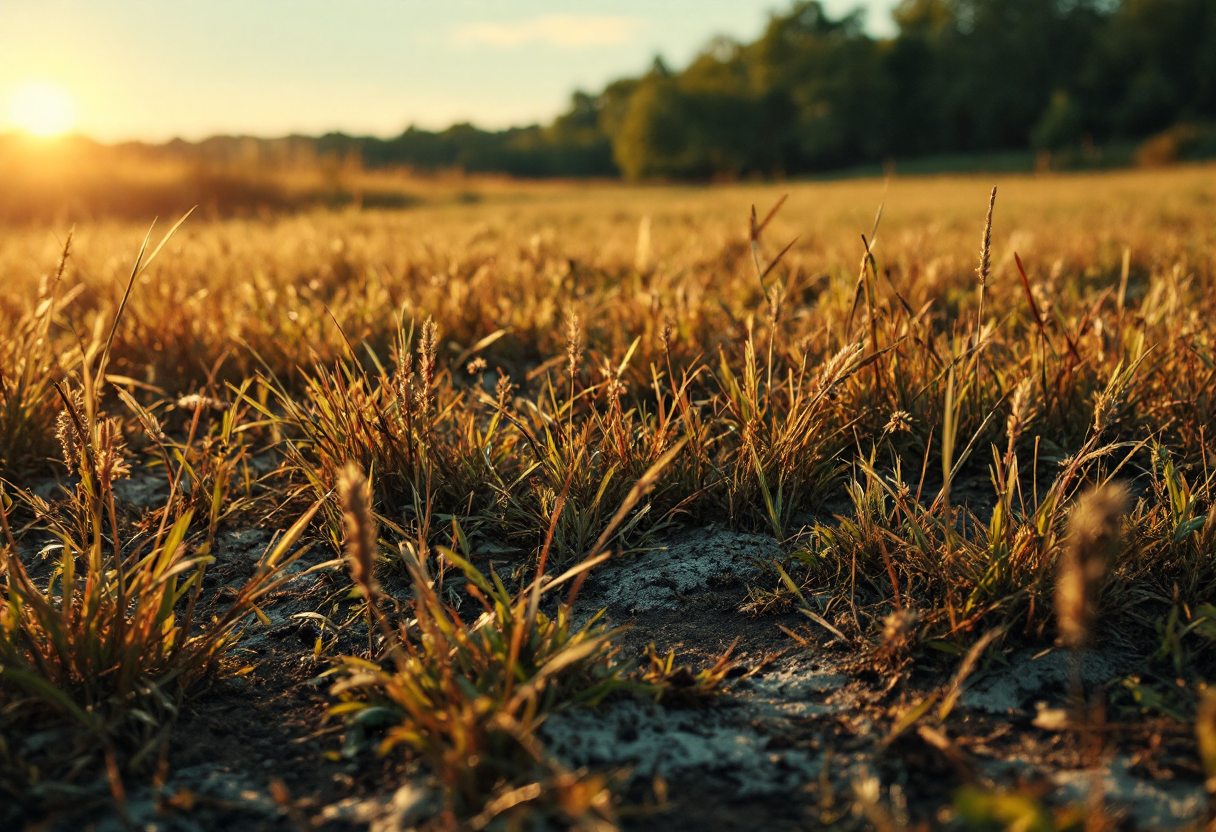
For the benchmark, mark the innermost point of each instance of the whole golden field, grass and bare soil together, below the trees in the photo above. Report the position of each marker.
(862, 504)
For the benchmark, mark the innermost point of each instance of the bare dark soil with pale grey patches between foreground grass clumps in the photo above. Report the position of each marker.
(803, 738)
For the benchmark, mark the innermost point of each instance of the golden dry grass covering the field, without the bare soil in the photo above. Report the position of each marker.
(513, 374)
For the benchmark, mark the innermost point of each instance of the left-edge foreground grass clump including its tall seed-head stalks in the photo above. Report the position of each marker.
(108, 640)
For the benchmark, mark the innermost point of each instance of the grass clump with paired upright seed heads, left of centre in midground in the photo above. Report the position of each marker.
(435, 451)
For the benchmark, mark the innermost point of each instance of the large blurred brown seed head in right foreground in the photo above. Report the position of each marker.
(1094, 541)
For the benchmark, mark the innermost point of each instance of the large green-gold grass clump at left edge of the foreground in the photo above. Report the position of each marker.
(109, 640)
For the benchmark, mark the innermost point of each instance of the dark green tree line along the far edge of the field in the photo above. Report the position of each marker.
(817, 93)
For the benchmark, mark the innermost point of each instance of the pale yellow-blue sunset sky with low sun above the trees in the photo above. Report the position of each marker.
(154, 70)
